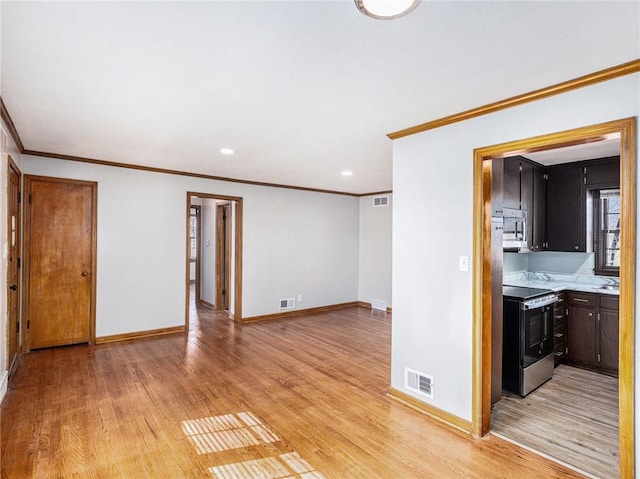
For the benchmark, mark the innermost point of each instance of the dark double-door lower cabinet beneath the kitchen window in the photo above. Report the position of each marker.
(592, 331)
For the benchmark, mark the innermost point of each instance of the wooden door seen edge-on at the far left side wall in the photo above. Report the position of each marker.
(13, 266)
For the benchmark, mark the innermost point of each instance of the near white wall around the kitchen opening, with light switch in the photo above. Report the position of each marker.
(432, 227)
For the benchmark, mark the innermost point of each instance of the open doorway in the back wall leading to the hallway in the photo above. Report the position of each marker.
(217, 242)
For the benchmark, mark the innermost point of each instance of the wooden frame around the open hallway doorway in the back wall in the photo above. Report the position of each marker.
(237, 284)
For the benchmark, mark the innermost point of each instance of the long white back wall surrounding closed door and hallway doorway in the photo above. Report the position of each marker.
(295, 242)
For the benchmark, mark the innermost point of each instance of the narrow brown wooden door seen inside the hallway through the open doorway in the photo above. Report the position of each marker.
(223, 255)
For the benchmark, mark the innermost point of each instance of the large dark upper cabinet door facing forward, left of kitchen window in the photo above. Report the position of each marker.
(565, 209)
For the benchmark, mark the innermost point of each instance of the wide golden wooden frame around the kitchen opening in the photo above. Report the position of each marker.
(481, 379)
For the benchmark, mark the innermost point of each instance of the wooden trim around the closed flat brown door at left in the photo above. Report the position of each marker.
(28, 181)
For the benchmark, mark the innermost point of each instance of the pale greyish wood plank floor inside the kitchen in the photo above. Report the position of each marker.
(573, 417)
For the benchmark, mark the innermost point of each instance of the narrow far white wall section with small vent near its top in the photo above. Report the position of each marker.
(375, 251)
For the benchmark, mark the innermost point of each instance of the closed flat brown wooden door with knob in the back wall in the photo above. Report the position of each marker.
(60, 240)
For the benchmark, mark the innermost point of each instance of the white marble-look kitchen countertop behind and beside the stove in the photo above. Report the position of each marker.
(561, 282)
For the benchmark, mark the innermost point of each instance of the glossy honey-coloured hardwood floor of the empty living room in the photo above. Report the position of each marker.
(299, 398)
